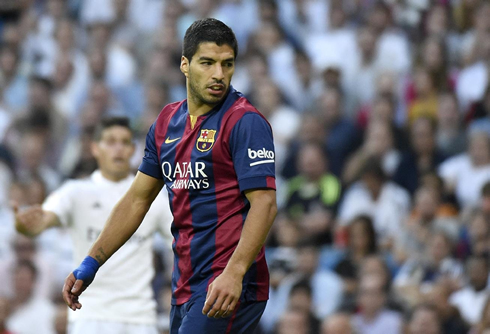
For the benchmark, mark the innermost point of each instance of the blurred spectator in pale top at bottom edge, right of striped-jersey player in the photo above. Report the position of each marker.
(373, 316)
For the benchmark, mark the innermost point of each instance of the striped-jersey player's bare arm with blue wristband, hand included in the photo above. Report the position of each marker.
(124, 220)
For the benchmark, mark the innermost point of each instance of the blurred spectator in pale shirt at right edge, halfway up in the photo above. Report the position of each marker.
(465, 174)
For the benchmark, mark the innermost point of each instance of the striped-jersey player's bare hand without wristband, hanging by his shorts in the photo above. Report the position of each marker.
(223, 295)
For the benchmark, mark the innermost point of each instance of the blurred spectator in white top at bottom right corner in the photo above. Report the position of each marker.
(471, 299)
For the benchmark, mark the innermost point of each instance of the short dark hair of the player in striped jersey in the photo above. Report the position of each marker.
(207, 30)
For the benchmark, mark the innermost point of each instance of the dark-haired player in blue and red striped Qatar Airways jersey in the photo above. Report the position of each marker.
(214, 152)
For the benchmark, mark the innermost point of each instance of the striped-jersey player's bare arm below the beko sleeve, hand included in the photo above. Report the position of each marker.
(224, 293)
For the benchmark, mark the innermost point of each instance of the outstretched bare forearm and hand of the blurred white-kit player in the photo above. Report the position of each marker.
(33, 220)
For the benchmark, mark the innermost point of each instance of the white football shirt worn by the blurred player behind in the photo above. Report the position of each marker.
(121, 291)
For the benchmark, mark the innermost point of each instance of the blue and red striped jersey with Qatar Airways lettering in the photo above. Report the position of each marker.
(206, 170)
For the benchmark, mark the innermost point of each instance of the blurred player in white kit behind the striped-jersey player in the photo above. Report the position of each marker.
(121, 300)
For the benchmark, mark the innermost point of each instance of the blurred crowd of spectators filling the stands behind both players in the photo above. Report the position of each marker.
(381, 119)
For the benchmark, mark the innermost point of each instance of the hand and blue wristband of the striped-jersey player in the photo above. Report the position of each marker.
(78, 281)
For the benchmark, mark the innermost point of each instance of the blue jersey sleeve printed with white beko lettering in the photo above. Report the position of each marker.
(252, 151)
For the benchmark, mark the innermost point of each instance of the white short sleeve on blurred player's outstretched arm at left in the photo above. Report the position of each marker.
(60, 202)
